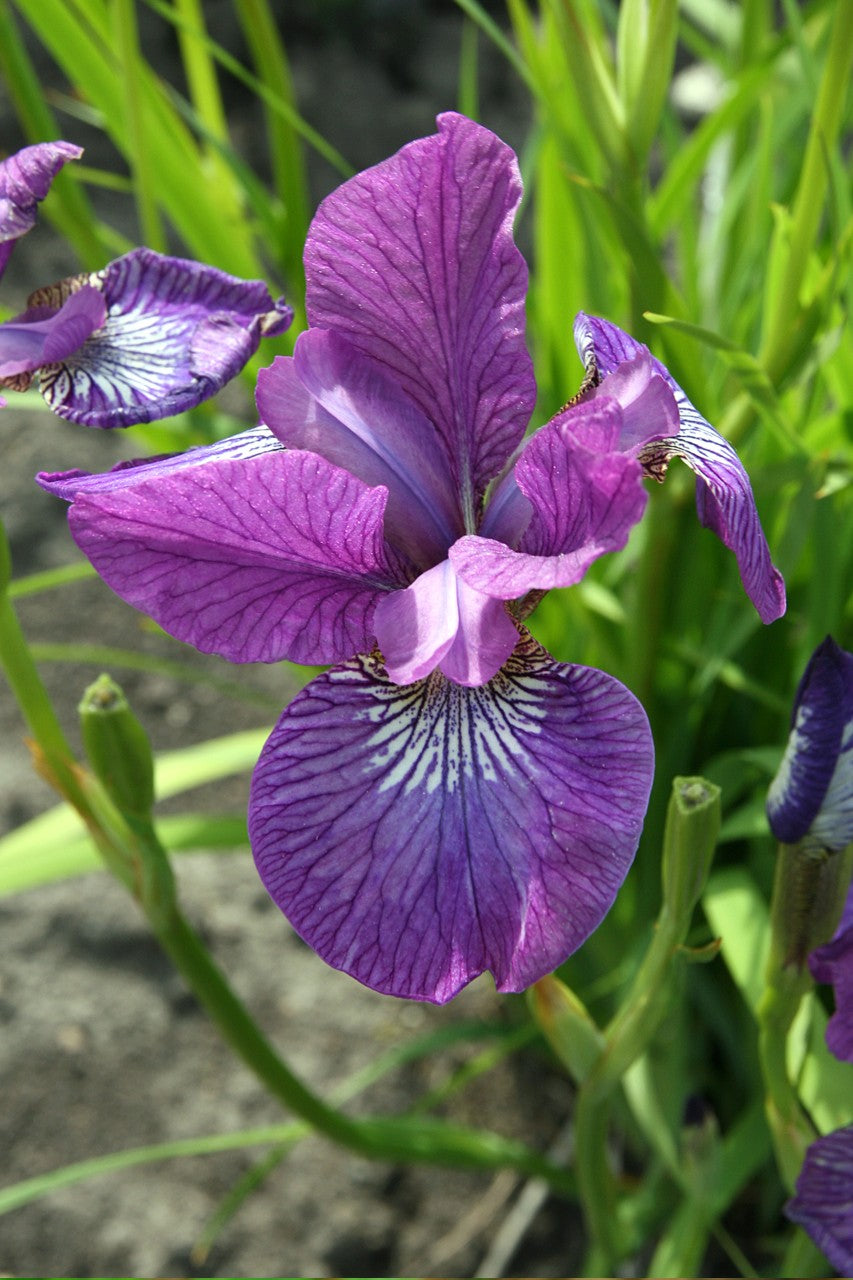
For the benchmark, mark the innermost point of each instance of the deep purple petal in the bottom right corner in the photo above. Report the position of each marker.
(823, 1204)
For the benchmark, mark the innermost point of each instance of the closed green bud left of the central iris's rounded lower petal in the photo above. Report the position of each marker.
(118, 748)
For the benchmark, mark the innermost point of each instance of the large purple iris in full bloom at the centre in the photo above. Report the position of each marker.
(446, 799)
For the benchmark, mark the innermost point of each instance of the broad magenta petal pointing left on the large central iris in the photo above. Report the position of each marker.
(258, 557)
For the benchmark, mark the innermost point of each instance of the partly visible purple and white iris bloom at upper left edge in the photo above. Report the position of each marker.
(144, 339)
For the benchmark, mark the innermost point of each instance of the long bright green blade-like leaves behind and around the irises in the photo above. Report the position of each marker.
(685, 179)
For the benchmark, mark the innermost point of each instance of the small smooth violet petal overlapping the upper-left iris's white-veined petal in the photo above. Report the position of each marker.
(37, 339)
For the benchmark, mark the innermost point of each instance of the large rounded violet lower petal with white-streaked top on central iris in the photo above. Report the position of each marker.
(467, 830)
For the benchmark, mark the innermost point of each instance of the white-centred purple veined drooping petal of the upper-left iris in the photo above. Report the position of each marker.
(176, 332)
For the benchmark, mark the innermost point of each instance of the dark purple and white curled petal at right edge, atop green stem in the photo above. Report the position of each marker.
(811, 798)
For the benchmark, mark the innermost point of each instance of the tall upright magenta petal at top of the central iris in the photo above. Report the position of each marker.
(414, 263)
